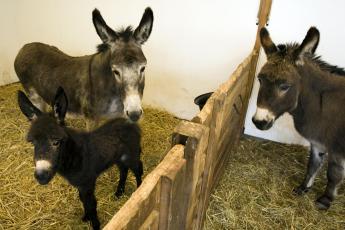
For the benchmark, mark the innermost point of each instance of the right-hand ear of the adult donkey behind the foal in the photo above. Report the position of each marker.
(143, 31)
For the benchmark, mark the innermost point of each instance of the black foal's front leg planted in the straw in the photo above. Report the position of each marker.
(87, 196)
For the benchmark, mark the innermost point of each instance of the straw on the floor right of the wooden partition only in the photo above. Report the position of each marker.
(255, 191)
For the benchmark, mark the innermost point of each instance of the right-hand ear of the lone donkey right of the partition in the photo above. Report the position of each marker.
(309, 44)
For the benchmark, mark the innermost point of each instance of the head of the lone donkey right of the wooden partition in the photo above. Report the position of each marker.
(280, 80)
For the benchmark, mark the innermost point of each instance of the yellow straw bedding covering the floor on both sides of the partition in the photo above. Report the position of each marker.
(254, 193)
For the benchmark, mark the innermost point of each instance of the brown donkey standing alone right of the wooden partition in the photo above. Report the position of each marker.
(296, 81)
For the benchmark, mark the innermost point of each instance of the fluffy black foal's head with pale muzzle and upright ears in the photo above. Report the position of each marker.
(46, 133)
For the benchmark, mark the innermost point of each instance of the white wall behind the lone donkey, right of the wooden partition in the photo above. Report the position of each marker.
(289, 22)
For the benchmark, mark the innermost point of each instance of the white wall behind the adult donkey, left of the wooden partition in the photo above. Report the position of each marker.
(194, 45)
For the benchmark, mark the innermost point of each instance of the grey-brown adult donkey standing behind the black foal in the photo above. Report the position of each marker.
(107, 84)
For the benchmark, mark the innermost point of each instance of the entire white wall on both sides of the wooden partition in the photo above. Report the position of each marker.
(194, 46)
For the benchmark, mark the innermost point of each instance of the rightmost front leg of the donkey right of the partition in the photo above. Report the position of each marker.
(335, 175)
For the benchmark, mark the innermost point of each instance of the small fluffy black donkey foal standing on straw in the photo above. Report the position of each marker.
(80, 157)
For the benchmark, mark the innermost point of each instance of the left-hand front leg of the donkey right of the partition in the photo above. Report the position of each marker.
(316, 160)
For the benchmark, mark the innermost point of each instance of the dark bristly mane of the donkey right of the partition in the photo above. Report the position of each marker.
(288, 51)
